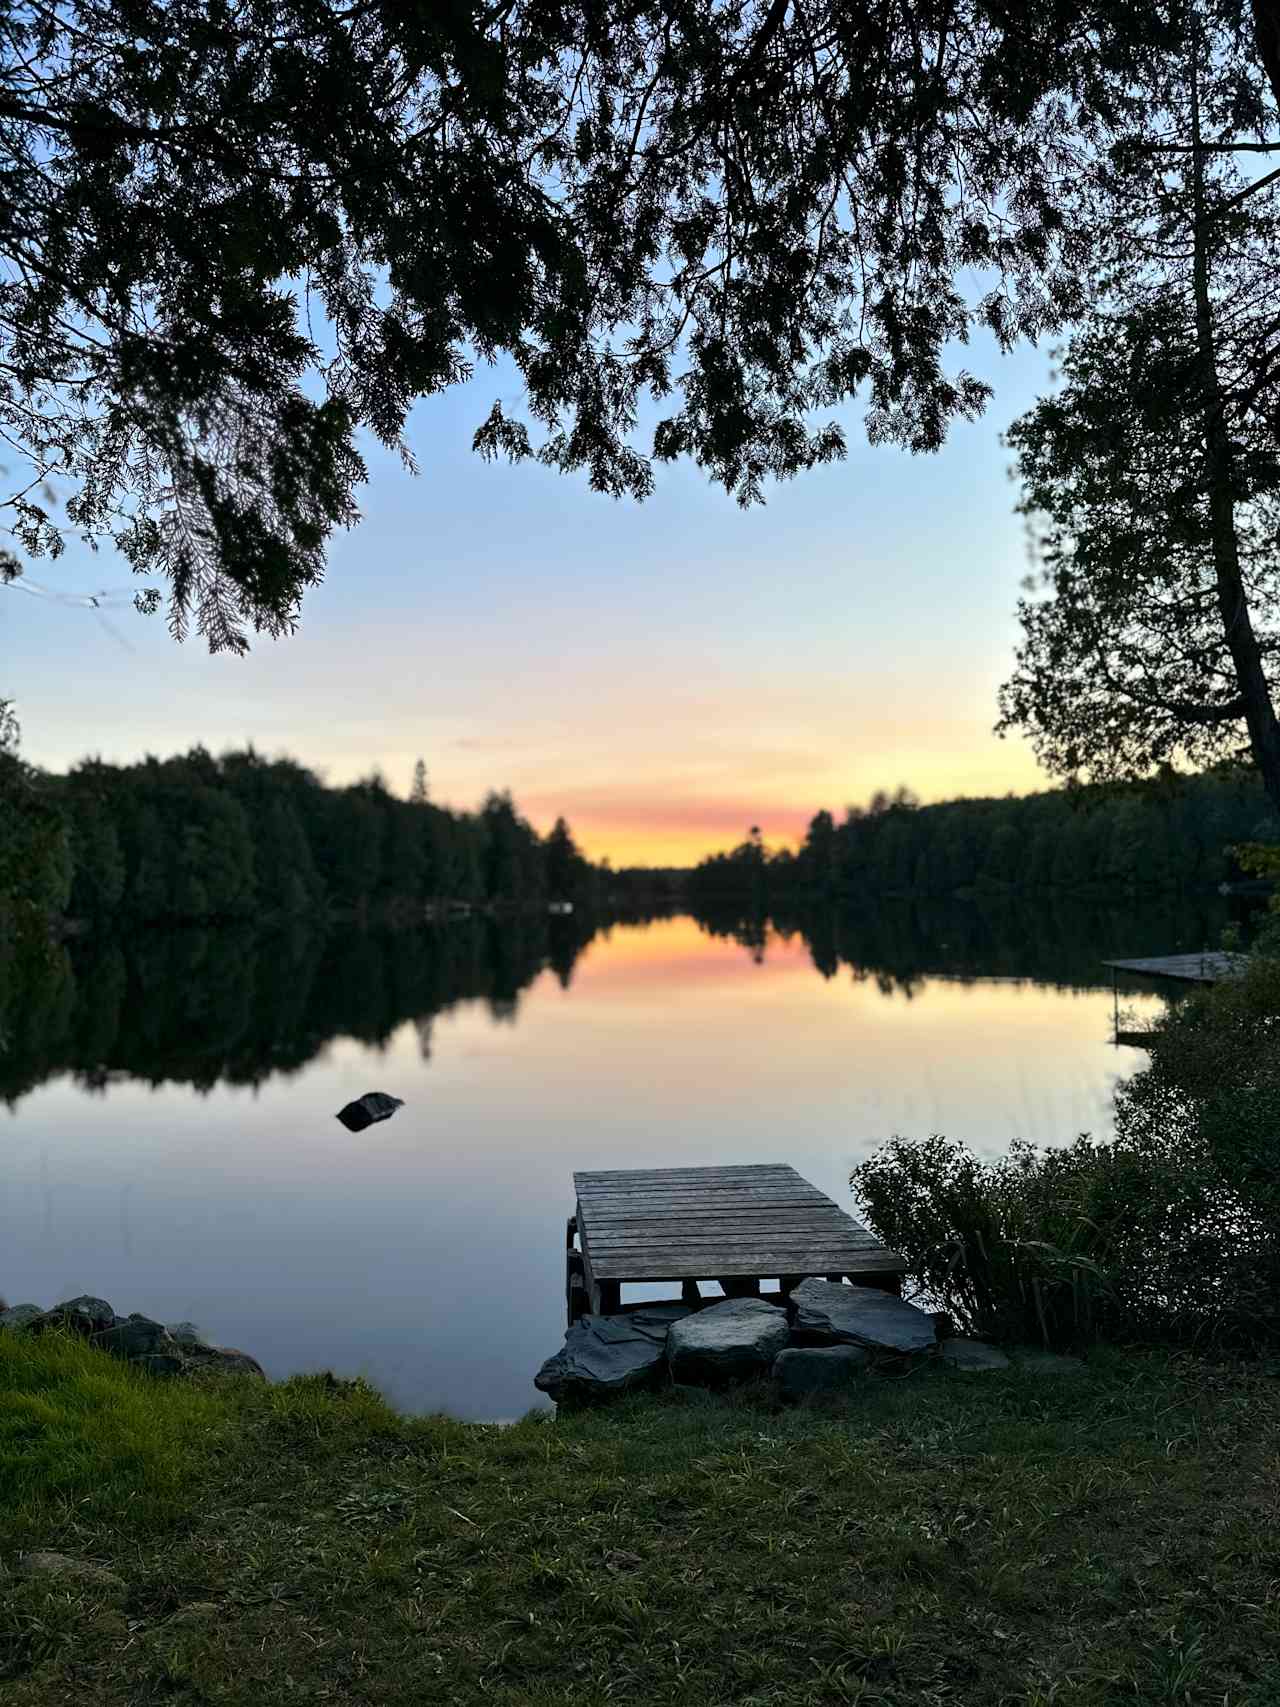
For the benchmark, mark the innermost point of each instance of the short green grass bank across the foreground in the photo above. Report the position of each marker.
(977, 1541)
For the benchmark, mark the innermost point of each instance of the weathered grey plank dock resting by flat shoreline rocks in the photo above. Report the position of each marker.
(736, 1226)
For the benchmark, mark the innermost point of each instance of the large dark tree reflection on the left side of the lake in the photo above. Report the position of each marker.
(236, 1006)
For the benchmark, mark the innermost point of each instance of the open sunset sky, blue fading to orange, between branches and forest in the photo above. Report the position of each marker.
(665, 675)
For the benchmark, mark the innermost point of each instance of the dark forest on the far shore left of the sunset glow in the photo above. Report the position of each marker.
(202, 839)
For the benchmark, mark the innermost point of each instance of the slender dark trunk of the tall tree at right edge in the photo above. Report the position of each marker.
(1233, 600)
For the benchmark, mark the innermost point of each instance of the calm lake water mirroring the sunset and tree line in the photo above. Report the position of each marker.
(172, 1139)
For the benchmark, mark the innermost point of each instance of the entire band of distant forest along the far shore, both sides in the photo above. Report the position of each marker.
(209, 841)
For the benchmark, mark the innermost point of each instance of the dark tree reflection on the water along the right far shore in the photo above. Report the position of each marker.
(900, 943)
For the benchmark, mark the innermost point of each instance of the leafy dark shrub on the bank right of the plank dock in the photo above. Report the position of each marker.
(1172, 1232)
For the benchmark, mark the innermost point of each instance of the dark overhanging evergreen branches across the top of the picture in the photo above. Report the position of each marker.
(238, 236)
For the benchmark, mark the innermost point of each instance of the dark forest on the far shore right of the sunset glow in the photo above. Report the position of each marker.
(1168, 837)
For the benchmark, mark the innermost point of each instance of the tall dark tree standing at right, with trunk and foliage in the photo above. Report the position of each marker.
(1153, 484)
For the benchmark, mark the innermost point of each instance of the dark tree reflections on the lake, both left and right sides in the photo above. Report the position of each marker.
(236, 1006)
